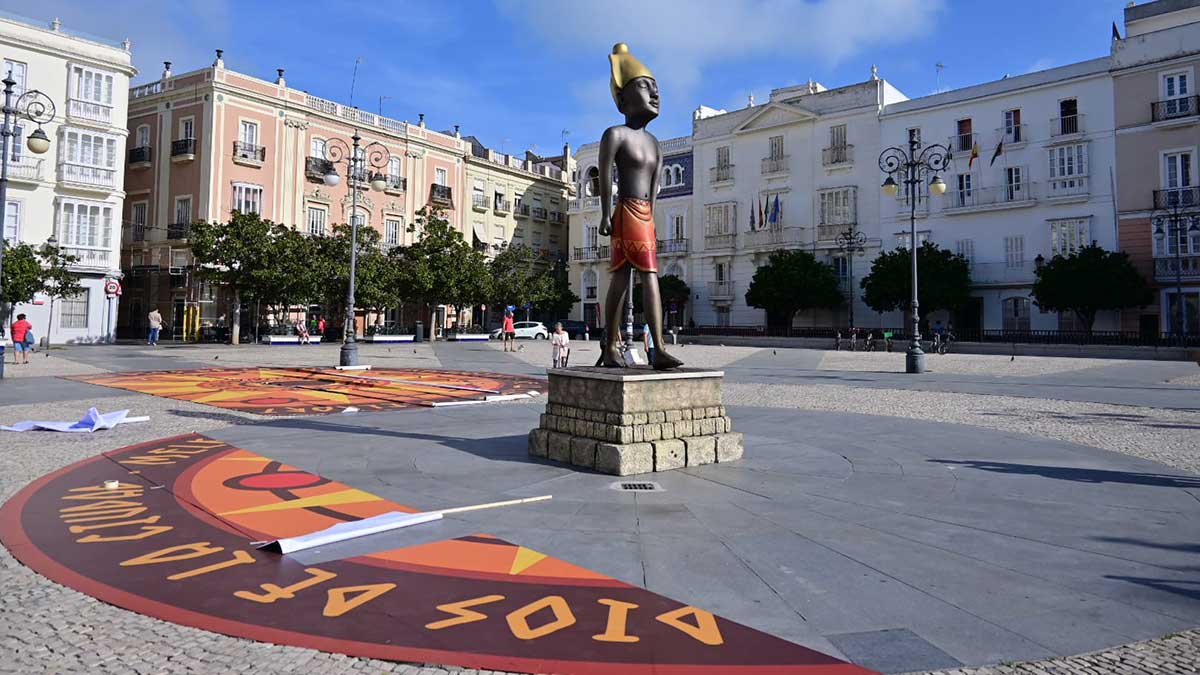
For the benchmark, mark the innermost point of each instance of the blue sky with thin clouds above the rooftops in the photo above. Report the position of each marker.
(518, 73)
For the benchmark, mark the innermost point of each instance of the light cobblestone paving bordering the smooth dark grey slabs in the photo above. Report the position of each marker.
(50, 629)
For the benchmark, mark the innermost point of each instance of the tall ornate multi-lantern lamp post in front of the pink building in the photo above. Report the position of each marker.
(358, 163)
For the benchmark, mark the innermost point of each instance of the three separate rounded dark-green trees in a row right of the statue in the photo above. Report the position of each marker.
(1085, 283)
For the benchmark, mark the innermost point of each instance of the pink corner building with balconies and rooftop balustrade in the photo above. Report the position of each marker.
(213, 141)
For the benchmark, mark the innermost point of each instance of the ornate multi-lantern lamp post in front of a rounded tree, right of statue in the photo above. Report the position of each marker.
(911, 168)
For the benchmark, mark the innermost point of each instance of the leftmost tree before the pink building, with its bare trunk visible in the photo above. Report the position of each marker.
(237, 254)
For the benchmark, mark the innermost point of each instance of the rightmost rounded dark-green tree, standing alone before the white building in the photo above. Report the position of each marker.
(1088, 282)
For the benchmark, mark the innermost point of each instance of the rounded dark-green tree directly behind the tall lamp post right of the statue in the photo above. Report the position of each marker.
(944, 280)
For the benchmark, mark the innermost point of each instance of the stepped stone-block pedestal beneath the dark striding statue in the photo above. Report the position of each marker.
(635, 421)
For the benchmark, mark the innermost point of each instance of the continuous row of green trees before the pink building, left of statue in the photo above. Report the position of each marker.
(279, 267)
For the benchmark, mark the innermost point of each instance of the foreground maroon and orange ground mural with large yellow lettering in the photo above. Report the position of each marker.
(173, 541)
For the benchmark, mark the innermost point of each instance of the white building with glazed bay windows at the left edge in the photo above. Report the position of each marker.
(76, 190)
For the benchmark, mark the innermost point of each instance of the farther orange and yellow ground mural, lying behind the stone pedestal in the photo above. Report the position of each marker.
(316, 391)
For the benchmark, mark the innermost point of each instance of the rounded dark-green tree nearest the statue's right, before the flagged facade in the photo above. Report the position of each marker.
(793, 282)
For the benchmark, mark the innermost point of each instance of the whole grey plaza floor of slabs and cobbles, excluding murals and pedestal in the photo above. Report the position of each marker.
(993, 516)
